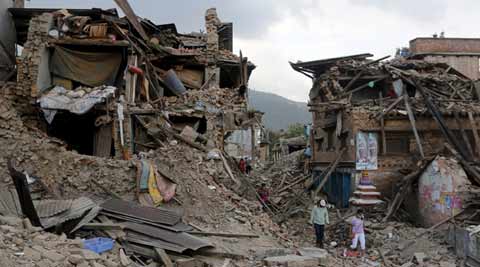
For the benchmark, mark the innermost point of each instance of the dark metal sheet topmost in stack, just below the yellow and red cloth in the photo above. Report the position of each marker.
(155, 215)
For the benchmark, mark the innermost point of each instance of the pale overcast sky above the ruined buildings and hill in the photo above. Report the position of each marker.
(273, 32)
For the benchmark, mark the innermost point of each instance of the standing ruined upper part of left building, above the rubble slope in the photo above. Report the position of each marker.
(115, 87)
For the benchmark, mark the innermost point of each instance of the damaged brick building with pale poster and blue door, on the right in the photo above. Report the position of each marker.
(374, 121)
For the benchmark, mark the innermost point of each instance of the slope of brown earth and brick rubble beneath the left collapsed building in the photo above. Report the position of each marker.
(201, 181)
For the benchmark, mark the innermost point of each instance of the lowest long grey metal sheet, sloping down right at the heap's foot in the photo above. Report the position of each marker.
(181, 239)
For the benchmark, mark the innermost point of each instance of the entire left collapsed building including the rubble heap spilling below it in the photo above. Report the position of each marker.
(123, 111)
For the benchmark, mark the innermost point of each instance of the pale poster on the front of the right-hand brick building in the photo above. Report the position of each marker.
(367, 151)
